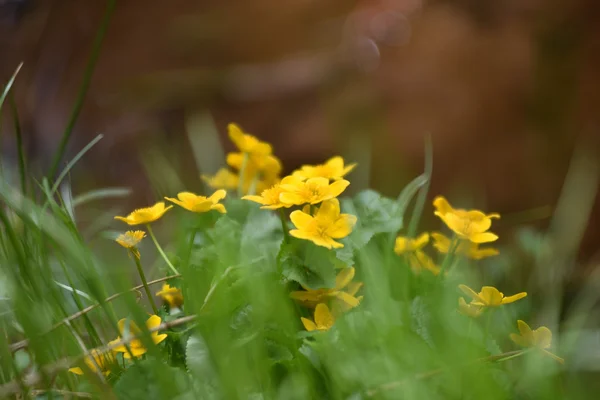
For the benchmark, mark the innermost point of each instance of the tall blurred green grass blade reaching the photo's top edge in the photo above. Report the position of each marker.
(87, 78)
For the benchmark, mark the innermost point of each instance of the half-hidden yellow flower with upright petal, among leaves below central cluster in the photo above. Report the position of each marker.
(310, 298)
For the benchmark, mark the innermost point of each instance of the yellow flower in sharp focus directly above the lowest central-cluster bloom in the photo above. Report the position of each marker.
(312, 191)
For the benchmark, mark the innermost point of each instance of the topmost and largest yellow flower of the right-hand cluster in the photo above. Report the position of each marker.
(471, 224)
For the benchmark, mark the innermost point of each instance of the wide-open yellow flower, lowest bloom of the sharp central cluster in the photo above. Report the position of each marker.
(326, 225)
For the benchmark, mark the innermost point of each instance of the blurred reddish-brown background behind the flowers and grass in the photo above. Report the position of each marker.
(506, 88)
